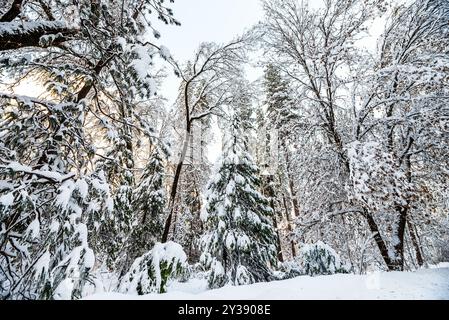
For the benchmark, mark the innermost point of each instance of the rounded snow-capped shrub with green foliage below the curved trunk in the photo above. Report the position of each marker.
(150, 272)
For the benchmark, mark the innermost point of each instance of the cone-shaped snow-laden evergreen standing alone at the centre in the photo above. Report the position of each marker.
(239, 245)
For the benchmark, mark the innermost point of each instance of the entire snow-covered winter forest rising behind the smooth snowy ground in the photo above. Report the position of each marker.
(335, 160)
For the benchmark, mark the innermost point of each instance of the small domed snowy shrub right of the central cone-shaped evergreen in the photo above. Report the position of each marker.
(320, 259)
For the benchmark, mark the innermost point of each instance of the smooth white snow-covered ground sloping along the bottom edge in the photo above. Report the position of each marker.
(424, 284)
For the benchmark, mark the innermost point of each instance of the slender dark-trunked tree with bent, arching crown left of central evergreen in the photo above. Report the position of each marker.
(208, 84)
